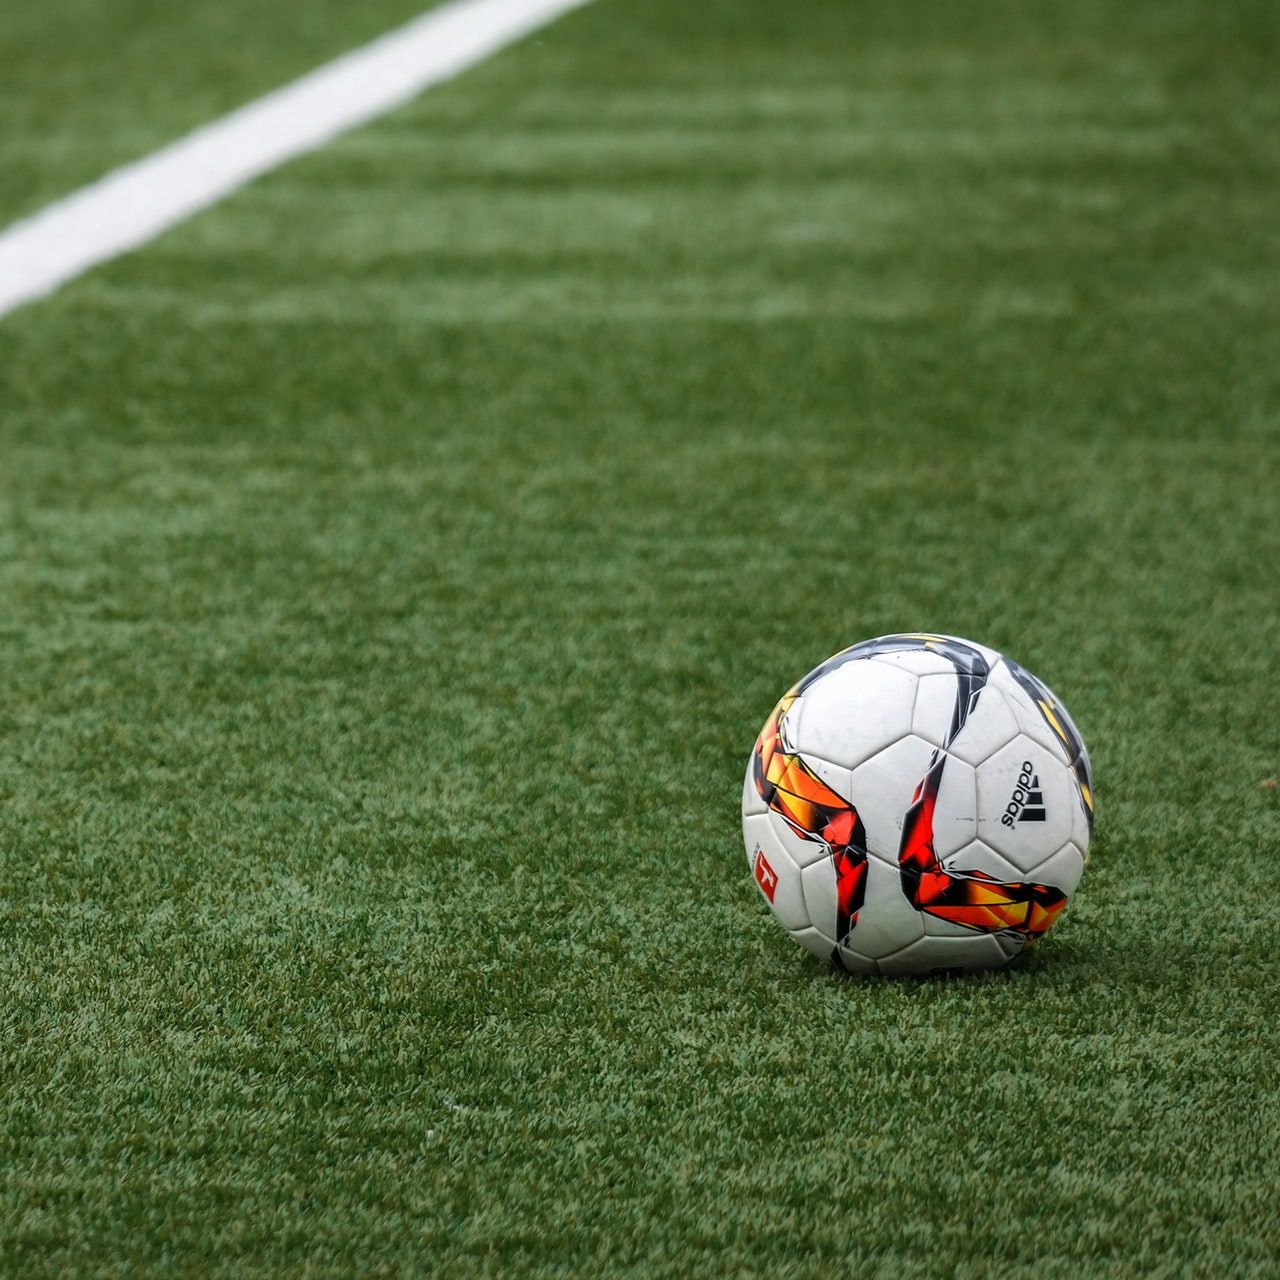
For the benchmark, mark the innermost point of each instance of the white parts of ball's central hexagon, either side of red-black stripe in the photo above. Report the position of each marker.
(884, 790)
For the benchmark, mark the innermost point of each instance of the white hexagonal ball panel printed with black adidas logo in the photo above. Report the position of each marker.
(1026, 796)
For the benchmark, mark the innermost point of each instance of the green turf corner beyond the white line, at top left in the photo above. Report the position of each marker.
(90, 86)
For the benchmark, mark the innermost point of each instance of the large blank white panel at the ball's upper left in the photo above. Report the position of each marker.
(853, 712)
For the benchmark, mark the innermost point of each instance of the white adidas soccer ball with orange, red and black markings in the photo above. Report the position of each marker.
(918, 803)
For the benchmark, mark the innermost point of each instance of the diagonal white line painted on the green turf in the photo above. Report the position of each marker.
(139, 202)
